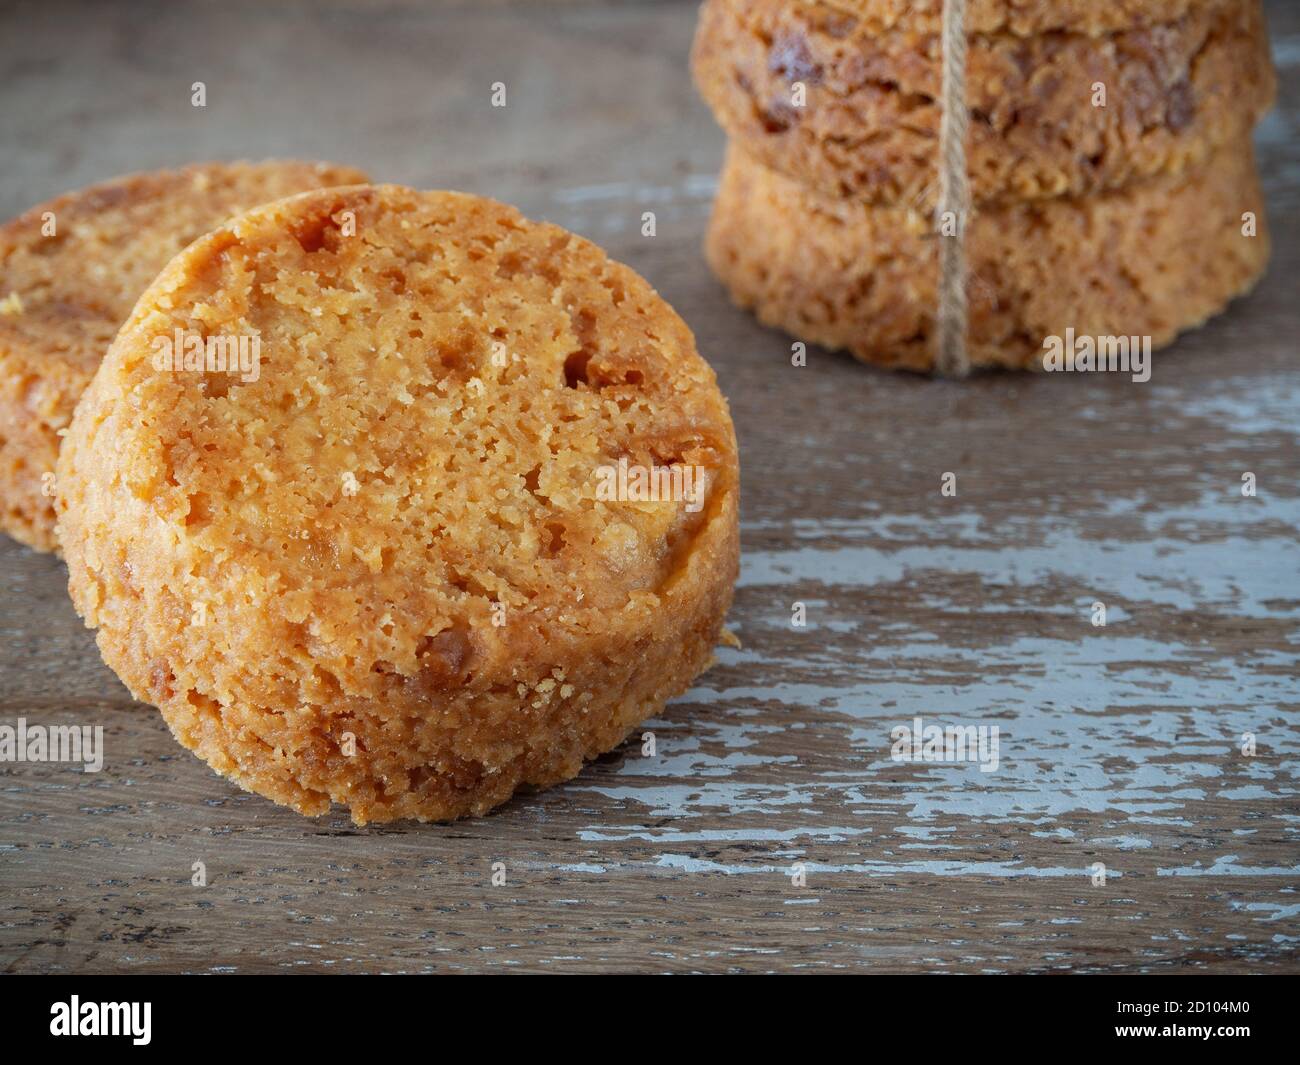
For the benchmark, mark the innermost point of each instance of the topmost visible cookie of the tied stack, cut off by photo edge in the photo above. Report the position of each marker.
(1020, 18)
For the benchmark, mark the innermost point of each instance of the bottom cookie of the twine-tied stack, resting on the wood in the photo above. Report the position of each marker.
(1152, 259)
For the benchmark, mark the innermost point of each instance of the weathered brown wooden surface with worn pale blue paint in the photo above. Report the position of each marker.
(1119, 744)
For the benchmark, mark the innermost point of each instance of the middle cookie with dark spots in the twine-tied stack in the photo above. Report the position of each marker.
(869, 122)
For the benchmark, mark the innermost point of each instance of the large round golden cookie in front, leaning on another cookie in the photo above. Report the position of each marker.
(408, 568)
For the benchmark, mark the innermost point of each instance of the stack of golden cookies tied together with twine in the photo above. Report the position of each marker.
(1112, 175)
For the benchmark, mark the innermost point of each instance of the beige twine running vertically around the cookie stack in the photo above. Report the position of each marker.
(955, 196)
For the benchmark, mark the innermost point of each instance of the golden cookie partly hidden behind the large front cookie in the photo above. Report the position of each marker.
(71, 271)
